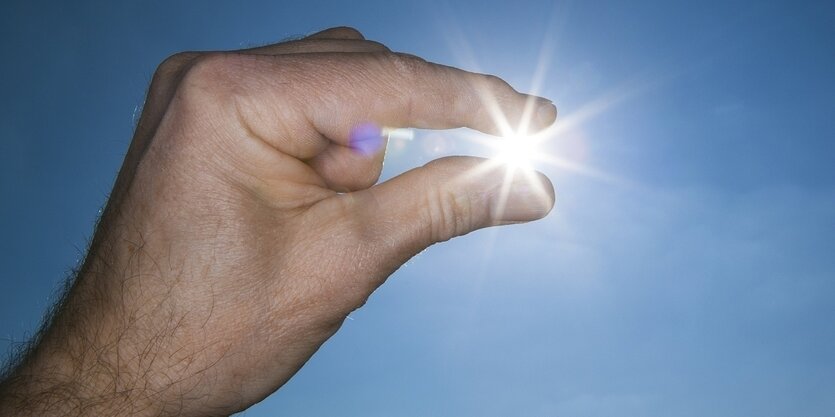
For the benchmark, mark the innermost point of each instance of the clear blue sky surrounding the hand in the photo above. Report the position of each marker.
(688, 268)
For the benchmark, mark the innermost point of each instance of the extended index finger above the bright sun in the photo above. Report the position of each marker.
(330, 94)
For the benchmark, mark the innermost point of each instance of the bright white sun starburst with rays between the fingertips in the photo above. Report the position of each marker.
(518, 151)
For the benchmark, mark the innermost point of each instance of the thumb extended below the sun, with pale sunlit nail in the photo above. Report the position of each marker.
(446, 198)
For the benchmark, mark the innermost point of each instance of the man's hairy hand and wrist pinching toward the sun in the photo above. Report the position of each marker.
(243, 228)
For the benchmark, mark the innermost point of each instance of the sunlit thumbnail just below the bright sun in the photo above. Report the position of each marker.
(529, 197)
